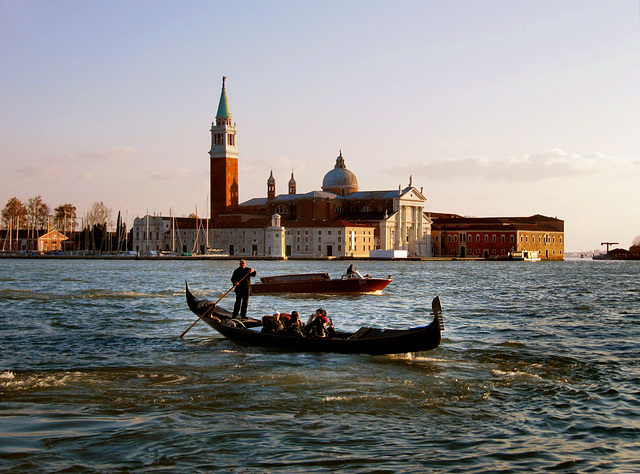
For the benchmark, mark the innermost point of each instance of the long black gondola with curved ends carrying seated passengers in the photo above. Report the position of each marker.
(366, 340)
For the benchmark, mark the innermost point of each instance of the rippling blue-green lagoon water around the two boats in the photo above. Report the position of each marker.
(538, 370)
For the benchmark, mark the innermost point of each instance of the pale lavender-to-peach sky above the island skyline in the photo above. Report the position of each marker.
(494, 108)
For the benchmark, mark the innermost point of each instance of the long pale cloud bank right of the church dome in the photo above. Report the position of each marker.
(550, 164)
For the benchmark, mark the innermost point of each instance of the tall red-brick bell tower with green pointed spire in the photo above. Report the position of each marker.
(224, 159)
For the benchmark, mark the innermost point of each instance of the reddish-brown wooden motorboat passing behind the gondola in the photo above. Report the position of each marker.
(319, 283)
